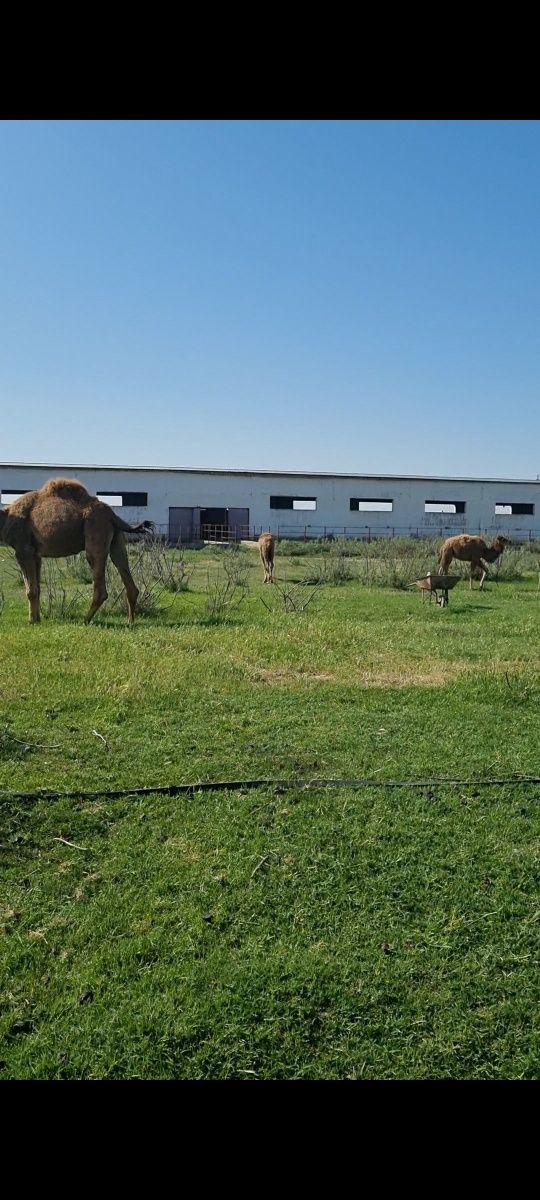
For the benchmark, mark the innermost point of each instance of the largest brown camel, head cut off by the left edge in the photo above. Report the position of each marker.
(61, 520)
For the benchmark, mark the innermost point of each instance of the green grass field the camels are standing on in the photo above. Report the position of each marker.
(273, 934)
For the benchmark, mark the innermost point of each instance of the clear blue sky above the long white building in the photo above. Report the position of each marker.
(314, 296)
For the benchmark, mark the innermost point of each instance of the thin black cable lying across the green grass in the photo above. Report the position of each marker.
(239, 785)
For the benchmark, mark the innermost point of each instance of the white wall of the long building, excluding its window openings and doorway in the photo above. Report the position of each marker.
(201, 490)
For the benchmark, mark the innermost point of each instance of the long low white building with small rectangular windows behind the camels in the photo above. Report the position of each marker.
(190, 505)
